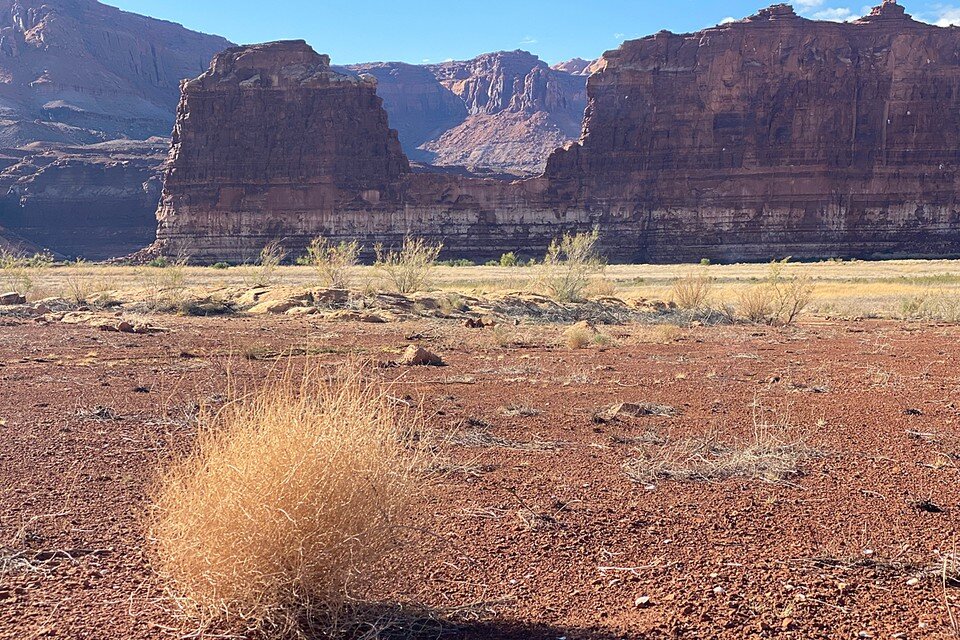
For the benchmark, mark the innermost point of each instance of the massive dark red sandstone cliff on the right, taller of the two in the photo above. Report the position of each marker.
(778, 135)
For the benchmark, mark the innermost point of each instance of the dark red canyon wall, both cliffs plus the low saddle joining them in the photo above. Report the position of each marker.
(769, 137)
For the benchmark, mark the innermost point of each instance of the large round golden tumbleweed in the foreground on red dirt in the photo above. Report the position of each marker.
(287, 502)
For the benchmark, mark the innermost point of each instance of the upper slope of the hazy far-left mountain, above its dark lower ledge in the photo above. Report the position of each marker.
(77, 71)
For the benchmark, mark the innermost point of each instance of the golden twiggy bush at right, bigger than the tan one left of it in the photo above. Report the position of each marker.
(778, 300)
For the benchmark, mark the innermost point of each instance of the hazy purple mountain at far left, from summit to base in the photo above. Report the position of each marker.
(76, 75)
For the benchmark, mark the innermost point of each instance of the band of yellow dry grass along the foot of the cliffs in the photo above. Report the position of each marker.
(852, 288)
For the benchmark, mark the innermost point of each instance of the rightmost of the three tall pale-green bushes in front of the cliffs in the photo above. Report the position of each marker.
(570, 264)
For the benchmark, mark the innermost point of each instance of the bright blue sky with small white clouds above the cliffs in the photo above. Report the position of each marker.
(435, 30)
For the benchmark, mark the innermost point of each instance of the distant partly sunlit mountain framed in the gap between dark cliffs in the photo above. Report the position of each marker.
(501, 112)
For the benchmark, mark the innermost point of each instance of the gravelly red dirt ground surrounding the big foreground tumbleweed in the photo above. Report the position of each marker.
(831, 553)
